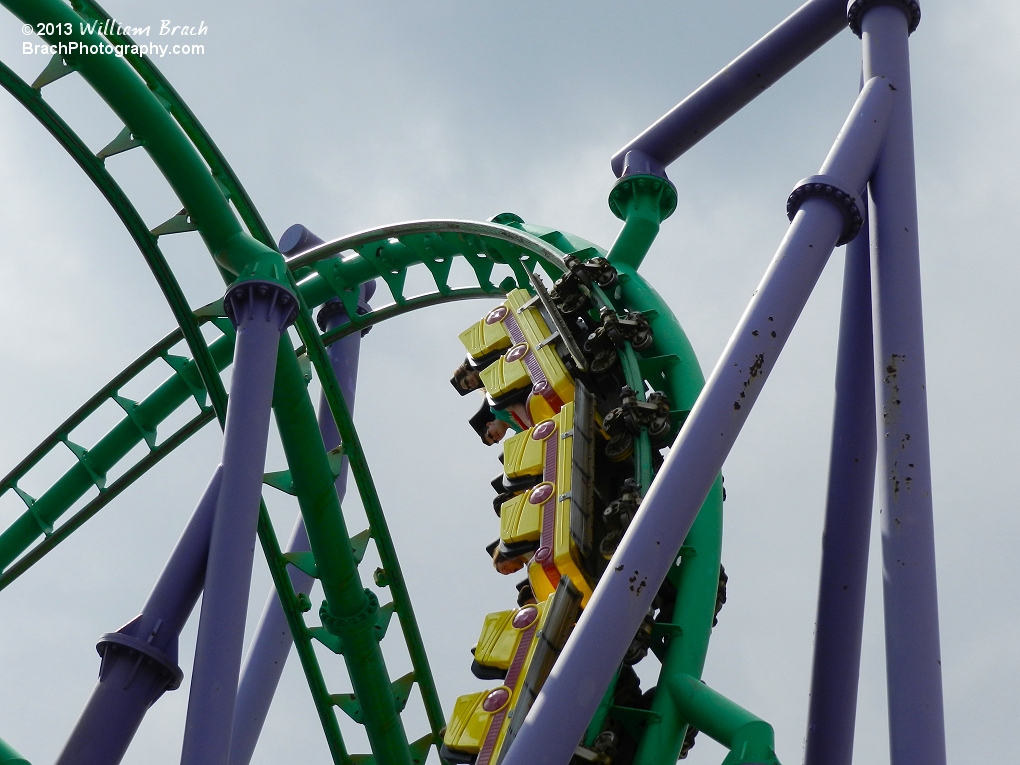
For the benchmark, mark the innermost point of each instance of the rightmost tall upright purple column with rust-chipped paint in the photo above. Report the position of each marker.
(912, 650)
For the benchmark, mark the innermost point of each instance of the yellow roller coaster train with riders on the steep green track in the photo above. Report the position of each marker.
(551, 367)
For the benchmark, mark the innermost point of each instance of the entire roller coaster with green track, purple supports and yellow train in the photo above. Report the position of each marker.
(610, 498)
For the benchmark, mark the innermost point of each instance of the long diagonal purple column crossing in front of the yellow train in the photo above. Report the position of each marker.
(825, 212)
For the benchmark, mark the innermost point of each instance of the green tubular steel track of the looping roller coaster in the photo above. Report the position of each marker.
(158, 119)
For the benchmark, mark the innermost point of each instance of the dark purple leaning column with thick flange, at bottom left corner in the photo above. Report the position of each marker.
(140, 660)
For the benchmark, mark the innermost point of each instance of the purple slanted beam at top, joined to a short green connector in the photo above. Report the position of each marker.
(744, 79)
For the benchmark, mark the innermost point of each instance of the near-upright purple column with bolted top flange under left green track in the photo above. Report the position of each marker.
(262, 312)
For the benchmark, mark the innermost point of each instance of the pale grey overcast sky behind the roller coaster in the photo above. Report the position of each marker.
(348, 116)
